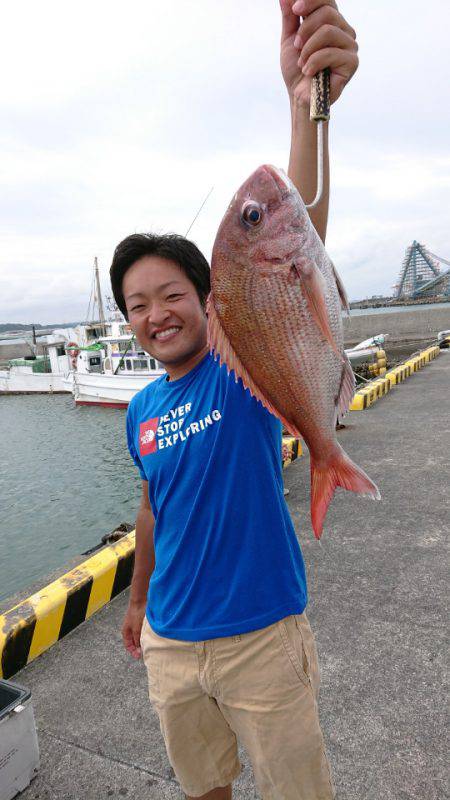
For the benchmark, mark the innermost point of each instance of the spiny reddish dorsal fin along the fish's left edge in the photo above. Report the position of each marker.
(219, 342)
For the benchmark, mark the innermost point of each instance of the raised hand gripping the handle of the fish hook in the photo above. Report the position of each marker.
(324, 39)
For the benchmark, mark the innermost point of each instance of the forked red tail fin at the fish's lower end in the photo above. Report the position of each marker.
(339, 470)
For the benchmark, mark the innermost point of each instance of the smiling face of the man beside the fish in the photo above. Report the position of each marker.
(164, 310)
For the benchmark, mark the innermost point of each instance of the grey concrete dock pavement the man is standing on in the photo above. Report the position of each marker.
(377, 602)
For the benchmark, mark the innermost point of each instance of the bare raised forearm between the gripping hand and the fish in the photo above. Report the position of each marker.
(303, 164)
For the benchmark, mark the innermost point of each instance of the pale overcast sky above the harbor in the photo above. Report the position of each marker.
(119, 117)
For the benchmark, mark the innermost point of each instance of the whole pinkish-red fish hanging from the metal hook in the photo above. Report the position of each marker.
(275, 319)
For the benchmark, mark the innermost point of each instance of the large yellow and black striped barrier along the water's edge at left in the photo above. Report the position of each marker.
(32, 626)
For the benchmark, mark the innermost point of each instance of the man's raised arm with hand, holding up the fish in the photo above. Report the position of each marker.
(323, 39)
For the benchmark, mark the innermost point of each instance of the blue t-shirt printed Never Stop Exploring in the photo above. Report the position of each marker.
(227, 559)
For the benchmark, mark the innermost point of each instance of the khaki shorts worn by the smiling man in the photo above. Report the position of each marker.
(259, 687)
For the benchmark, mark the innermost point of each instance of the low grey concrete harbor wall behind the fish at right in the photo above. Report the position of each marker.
(401, 326)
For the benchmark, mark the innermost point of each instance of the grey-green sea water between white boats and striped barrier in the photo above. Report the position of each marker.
(66, 479)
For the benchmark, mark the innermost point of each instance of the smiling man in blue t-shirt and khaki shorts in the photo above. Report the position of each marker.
(223, 632)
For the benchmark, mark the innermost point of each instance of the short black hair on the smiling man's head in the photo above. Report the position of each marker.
(170, 246)
